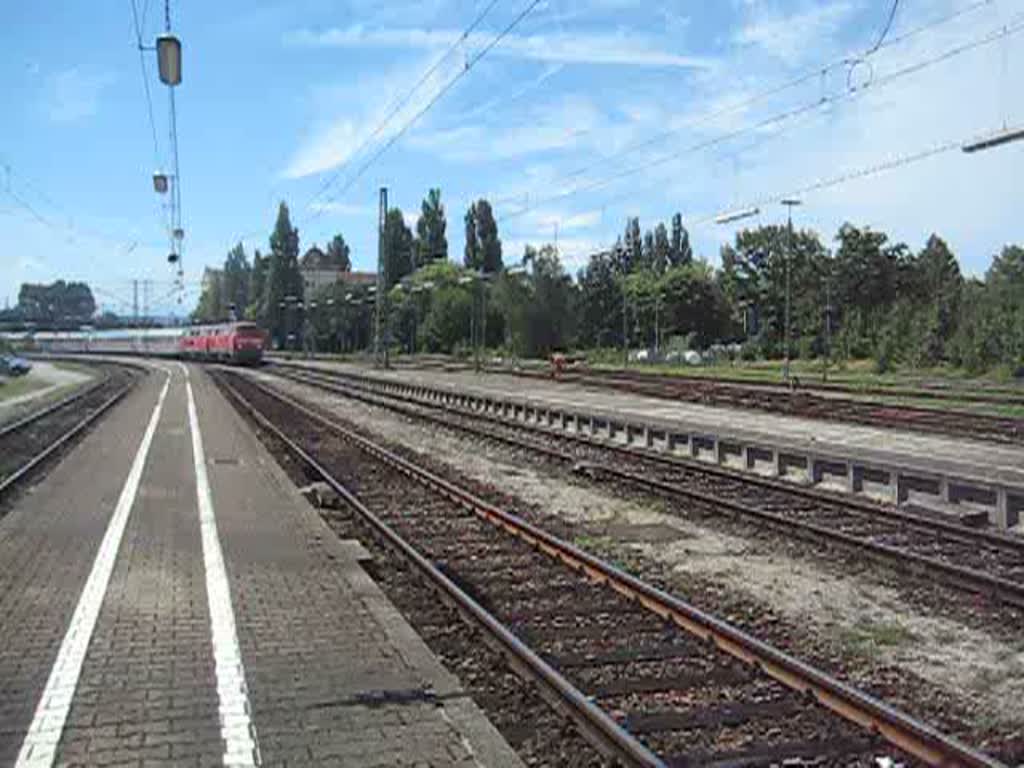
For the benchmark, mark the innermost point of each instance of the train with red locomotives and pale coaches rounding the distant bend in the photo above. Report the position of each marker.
(226, 343)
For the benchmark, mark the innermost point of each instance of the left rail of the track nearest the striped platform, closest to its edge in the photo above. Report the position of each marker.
(607, 736)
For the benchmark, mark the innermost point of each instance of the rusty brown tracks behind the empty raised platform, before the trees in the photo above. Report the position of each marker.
(809, 404)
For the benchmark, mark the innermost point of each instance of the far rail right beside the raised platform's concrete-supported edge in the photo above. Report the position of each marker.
(953, 530)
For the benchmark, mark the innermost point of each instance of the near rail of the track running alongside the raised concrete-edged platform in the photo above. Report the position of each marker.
(974, 581)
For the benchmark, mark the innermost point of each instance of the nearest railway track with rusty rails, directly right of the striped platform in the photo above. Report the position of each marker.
(649, 679)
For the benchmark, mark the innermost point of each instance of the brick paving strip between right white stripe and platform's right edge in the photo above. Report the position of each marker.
(335, 676)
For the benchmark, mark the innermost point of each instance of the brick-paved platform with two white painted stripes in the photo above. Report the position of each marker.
(170, 600)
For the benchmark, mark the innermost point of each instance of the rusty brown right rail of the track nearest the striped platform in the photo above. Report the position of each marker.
(907, 734)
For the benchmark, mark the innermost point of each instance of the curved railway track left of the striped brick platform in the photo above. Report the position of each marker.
(29, 443)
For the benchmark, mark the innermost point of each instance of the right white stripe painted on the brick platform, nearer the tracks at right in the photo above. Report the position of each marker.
(242, 747)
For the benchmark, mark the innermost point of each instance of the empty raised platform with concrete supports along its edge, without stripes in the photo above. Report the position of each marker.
(948, 475)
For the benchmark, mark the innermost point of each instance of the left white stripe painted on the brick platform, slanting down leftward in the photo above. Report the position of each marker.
(40, 745)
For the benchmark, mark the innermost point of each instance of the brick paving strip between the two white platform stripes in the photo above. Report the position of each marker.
(148, 690)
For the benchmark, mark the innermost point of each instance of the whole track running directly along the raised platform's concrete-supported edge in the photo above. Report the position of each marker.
(977, 562)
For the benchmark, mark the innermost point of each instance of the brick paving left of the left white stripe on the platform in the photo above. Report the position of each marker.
(49, 541)
